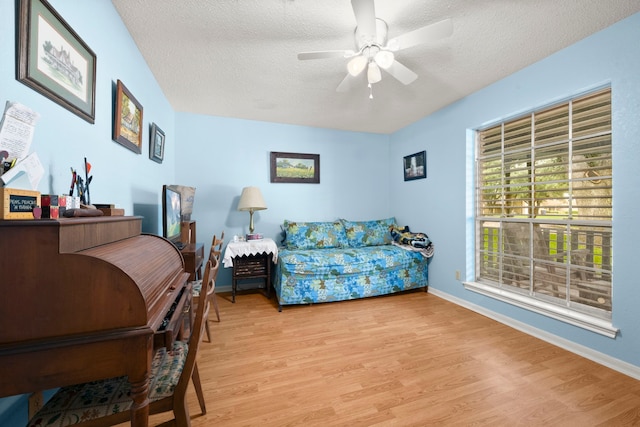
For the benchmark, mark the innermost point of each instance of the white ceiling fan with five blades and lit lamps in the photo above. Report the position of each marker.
(374, 51)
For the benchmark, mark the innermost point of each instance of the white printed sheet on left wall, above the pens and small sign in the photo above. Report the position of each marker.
(16, 130)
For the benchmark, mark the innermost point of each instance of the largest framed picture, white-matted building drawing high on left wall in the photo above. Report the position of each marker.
(53, 60)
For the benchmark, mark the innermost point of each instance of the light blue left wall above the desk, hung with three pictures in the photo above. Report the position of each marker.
(62, 139)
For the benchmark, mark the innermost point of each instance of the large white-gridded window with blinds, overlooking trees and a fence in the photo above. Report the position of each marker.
(544, 203)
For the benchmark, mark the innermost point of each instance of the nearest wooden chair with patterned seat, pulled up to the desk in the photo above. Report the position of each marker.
(108, 402)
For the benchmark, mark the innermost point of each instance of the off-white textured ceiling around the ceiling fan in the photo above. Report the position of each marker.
(238, 58)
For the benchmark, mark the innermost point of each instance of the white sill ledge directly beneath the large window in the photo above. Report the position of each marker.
(585, 321)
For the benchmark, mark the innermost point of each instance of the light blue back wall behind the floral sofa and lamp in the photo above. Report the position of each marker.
(225, 155)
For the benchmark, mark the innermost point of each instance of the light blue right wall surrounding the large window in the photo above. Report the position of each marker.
(440, 202)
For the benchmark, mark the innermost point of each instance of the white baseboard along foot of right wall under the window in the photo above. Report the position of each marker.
(586, 352)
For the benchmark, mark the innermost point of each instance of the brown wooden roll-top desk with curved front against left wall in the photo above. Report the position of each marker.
(85, 299)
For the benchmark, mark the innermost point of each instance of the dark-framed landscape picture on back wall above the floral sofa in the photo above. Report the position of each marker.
(295, 167)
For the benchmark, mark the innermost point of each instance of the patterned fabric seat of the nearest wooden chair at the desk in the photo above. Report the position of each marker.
(79, 403)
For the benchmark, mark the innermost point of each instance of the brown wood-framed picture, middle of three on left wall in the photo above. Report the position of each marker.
(127, 120)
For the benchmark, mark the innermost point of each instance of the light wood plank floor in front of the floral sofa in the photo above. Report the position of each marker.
(409, 359)
